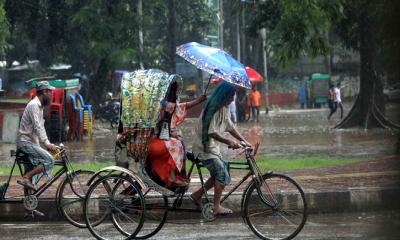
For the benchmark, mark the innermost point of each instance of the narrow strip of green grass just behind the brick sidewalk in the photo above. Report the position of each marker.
(265, 163)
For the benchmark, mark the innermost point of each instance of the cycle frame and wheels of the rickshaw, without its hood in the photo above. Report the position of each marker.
(273, 205)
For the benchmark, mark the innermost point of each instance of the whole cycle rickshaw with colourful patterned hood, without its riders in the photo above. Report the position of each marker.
(130, 203)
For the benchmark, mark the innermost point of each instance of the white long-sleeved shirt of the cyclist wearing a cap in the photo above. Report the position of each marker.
(31, 127)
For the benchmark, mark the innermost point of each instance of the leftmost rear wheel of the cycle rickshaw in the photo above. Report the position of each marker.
(118, 212)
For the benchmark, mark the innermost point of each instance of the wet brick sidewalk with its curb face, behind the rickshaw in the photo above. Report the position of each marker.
(362, 186)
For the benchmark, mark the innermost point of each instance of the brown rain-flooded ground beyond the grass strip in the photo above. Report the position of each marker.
(281, 133)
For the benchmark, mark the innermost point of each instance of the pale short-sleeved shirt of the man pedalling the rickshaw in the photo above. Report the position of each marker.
(220, 123)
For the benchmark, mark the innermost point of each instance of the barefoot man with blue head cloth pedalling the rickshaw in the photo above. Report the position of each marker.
(213, 122)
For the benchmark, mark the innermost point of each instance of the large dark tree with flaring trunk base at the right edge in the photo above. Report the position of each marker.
(361, 29)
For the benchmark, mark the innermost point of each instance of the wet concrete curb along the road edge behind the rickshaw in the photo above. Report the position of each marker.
(319, 201)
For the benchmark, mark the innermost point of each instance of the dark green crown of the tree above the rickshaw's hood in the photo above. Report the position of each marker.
(107, 30)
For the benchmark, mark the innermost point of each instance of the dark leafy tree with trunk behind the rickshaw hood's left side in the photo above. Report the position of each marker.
(111, 42)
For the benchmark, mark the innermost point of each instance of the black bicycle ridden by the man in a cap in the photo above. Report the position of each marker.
(70, 192)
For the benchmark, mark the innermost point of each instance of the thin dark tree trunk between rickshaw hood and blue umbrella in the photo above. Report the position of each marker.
(171, 35)
